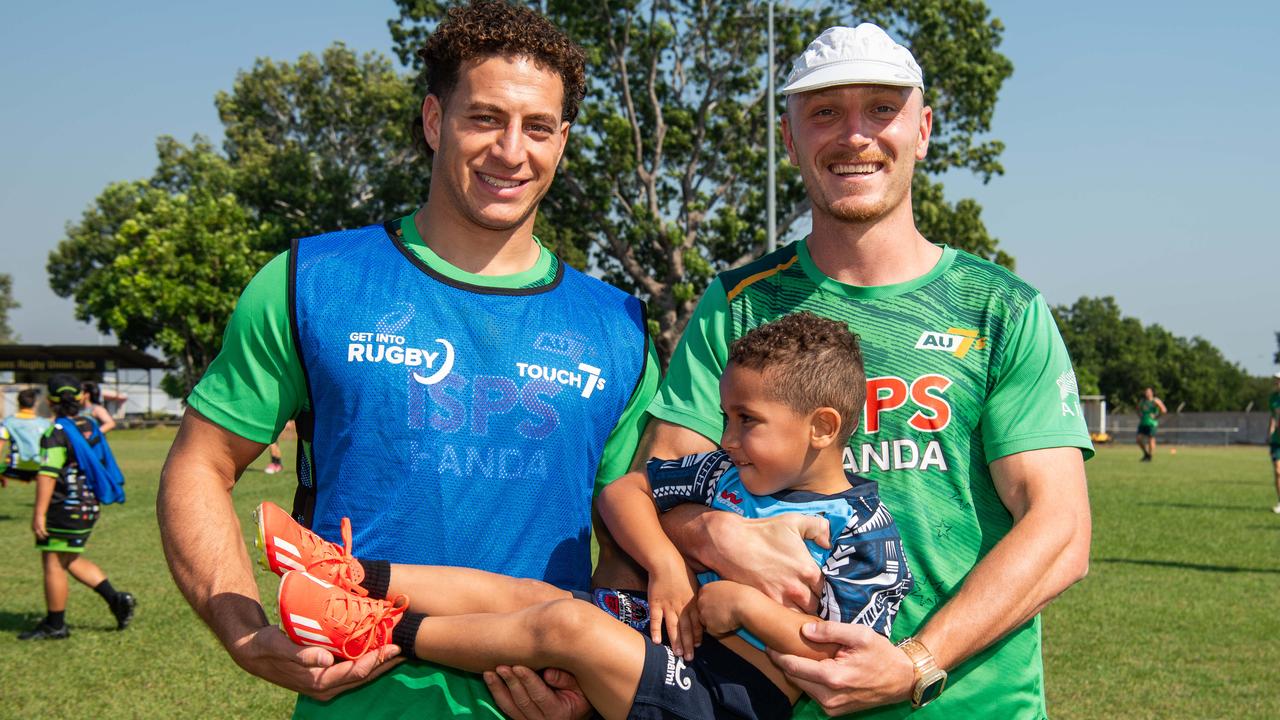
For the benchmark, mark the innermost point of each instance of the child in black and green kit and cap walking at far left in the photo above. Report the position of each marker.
(65, 516)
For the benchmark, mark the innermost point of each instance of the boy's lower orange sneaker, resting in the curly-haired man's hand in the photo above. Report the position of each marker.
(324, 616)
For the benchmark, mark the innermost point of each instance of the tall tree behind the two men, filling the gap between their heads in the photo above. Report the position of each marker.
(664, 181)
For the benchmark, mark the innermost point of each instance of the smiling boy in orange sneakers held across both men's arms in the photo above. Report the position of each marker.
(793, 393)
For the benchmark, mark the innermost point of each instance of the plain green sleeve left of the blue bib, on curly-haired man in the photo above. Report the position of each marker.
(255, 385)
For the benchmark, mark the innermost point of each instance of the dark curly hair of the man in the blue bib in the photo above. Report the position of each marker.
(487, 29)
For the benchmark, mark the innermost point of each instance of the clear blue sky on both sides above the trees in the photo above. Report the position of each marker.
(1141, 156)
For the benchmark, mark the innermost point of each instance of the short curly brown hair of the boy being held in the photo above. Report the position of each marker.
(811, 363)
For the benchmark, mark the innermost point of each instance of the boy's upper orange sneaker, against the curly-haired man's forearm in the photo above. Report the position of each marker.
(286, 546)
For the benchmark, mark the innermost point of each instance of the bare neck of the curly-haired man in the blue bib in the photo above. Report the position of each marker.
(474, 249)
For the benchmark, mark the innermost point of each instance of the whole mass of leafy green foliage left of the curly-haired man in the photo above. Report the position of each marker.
(310, 147)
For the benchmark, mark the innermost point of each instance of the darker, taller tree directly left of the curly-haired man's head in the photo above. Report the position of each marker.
(324, 143)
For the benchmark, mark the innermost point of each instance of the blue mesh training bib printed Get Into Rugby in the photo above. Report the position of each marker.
(459, 425)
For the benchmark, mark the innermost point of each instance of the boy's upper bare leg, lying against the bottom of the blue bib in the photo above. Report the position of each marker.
(437, 590)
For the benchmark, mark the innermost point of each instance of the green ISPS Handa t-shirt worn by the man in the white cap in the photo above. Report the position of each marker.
(964, 366)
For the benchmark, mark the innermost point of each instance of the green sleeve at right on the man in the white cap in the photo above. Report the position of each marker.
(1036, 403)
